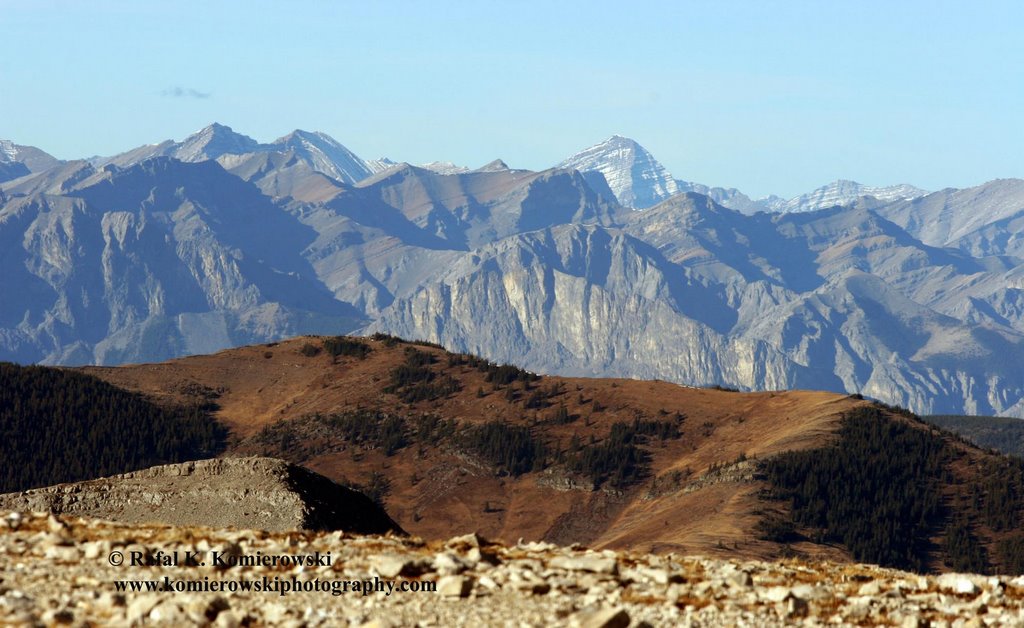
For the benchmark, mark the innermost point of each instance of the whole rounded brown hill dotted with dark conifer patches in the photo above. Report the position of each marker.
(451, 444)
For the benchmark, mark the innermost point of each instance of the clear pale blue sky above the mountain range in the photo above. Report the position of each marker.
(772, 98)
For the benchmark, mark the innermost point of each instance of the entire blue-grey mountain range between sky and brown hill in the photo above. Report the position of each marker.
(604, 266)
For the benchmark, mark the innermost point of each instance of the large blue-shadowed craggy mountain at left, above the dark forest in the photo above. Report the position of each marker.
(156, 261)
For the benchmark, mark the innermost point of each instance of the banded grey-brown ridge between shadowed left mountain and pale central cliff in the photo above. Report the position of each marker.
(382, 239)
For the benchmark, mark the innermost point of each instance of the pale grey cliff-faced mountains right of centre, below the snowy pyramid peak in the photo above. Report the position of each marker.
(838, 301)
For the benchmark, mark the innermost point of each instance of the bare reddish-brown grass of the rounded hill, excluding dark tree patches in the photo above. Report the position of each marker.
(439, 491)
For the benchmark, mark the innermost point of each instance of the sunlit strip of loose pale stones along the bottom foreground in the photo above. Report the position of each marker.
(64, 571)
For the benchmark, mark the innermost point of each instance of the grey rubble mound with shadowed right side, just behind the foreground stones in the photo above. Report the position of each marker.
(258, 493)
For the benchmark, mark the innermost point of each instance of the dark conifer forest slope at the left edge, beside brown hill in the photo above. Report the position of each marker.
(59, 426)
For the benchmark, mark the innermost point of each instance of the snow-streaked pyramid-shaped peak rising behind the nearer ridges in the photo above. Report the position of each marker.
(637, 180)
